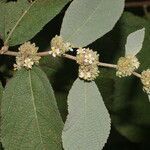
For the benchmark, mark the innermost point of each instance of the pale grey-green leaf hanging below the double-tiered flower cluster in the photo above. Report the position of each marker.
(88, 123)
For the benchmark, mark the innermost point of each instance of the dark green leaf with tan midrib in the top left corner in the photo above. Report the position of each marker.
(21, 20)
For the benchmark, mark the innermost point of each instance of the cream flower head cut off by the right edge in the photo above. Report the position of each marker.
(145, 78)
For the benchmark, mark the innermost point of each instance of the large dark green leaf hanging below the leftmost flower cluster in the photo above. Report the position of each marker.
(30, 117)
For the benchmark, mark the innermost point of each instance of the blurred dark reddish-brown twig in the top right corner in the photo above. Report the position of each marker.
(137, 4)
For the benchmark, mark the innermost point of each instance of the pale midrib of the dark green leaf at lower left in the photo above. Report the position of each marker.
(34, 107)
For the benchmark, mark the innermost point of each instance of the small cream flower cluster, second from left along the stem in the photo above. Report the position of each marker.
(59, 47)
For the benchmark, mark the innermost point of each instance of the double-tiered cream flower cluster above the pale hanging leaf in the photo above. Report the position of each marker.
(88, 61)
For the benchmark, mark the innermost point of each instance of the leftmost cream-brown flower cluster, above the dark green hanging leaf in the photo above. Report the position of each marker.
(27, 56)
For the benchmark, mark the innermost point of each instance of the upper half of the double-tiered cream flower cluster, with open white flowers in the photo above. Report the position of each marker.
(87, 57)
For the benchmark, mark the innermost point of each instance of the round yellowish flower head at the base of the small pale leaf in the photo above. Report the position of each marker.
(127, 65)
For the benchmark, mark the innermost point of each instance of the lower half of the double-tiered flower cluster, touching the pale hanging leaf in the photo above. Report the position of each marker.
(88, 73)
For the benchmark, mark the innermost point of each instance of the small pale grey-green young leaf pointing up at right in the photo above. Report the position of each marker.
(135, 42)
